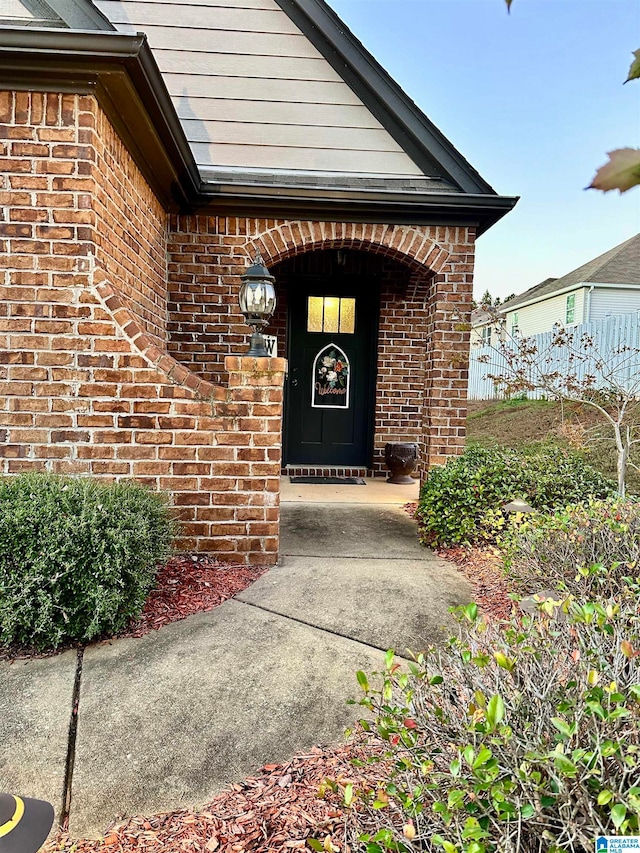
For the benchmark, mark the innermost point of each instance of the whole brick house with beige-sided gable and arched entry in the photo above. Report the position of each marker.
(150, 149)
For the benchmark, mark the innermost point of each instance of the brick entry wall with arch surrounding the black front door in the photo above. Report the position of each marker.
(425, 273)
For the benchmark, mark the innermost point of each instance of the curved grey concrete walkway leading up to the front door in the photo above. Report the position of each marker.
(168, 720)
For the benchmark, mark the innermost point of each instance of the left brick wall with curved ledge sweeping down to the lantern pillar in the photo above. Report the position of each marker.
(84, 387)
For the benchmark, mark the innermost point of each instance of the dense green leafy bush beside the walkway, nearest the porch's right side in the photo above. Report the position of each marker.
(462, 501)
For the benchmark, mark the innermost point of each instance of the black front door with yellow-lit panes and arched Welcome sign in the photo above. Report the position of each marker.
(332, 359)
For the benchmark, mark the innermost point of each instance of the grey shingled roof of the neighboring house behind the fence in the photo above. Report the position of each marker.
(620, 265)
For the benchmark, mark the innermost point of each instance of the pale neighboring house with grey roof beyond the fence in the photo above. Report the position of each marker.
(606, 286)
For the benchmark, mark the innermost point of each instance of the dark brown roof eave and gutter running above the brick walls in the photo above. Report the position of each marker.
(122, 72)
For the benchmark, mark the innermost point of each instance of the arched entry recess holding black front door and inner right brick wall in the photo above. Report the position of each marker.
(381, 347)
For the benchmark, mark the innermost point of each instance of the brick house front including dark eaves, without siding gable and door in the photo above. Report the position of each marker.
(121, 339)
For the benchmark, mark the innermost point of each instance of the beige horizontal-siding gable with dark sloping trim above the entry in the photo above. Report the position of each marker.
(282, 87)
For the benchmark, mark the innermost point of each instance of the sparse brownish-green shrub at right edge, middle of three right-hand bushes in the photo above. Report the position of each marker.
(589, 549)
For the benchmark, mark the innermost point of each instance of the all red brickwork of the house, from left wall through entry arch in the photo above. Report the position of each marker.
(85, 384)
